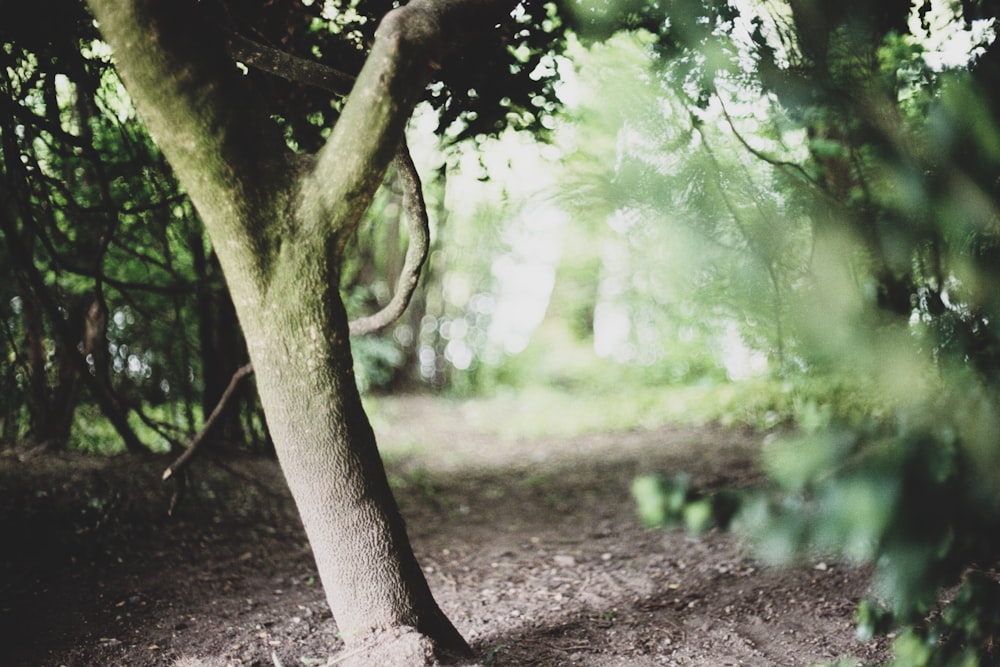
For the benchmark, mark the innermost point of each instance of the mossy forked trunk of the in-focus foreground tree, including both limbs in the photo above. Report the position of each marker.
(279, 225)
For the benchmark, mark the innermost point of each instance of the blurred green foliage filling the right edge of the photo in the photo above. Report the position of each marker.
(897, 185)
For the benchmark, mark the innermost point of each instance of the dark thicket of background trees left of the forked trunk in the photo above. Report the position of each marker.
(114, 289)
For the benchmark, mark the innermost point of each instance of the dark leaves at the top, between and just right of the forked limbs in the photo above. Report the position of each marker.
(490, 86)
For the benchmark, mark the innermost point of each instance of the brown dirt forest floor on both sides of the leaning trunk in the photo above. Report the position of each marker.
(530, 545)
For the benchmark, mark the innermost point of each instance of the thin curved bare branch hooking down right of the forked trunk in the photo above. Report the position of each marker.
(415, 215)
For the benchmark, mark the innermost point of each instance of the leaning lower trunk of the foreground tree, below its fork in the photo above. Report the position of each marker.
(328, 453)
